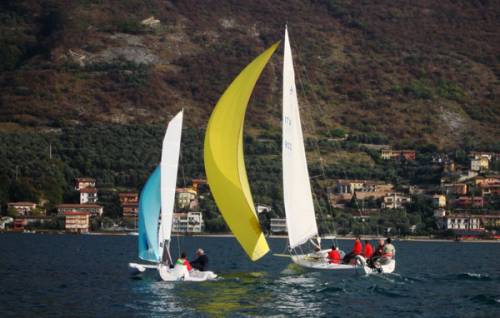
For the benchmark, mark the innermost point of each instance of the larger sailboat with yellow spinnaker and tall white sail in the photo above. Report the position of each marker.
(226, 173)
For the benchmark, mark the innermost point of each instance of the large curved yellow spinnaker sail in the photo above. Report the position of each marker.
(224, 163)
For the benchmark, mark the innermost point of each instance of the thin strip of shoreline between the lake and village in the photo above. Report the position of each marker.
(226, 235)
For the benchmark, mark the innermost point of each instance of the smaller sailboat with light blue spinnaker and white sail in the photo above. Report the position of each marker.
(156, 207)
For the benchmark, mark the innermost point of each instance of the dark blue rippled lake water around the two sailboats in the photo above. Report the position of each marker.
(87, 276)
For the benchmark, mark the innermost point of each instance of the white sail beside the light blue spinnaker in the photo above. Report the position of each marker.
(169, 164)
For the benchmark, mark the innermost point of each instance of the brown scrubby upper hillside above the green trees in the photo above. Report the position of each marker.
(404, 73)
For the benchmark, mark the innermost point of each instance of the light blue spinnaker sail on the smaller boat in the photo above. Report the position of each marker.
(149, 213)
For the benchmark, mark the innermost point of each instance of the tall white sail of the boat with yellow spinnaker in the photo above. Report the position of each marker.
(299, 207)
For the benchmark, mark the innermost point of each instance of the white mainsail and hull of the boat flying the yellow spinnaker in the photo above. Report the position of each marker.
(297, 195)
